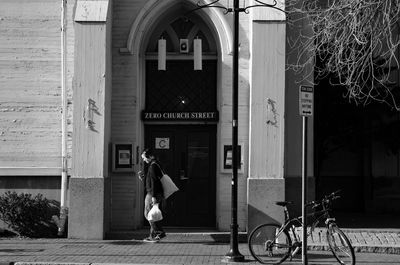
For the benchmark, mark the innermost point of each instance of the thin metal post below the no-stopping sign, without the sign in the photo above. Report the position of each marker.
(304, 191)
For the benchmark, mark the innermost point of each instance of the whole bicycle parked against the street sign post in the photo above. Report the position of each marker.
(271, 243)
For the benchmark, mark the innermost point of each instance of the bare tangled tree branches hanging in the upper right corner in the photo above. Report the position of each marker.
(355, 42)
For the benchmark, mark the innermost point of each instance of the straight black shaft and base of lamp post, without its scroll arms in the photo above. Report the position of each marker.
(234, 255)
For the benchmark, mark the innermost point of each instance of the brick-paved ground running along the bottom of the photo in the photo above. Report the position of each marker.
(137, 252)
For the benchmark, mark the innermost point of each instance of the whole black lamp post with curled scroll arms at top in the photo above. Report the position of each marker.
(233, 254)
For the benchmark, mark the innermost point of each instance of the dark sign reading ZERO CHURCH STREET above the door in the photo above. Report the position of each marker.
(180, 116)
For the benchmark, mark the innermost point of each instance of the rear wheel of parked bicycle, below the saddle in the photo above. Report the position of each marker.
(269, 245)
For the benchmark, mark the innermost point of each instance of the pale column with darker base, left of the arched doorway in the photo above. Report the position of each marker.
(88, 187)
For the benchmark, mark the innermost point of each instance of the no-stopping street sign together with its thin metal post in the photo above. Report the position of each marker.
(306, 110)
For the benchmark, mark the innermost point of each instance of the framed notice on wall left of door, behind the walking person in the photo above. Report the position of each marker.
(122, 157)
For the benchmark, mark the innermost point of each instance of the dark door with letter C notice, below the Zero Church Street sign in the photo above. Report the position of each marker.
(187, 154)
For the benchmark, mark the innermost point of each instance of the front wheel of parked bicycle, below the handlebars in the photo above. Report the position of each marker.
(340, 245)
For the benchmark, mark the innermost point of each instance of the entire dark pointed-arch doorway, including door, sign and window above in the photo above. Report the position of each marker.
(180, 117)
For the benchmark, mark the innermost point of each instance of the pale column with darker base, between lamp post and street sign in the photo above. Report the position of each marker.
(267, 117)
